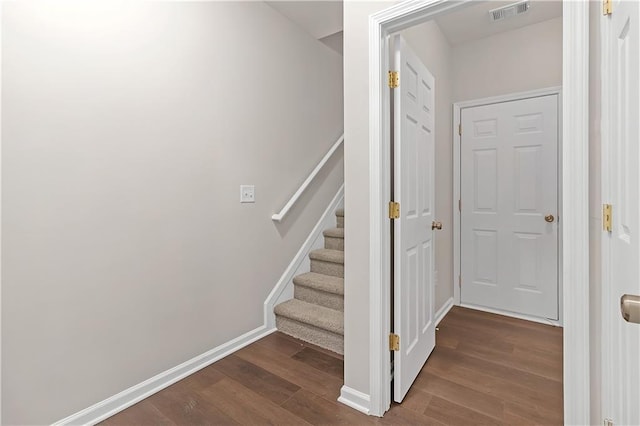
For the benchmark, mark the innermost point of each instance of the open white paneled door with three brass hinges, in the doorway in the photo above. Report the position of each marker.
(413, 237)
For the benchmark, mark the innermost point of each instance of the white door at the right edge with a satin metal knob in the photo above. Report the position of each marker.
(621, 189)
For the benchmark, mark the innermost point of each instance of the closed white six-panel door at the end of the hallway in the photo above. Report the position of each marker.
(509, 206)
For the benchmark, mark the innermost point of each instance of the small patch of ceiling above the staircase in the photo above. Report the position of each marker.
(318, 18)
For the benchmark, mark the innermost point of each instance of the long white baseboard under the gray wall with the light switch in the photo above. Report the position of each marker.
(110, 406)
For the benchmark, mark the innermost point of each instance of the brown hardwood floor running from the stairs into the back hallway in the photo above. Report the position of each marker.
(486, 369)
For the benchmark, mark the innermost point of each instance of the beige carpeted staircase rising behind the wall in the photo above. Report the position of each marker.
(316, 313)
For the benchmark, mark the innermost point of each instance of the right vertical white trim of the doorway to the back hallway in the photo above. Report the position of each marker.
(575, 207)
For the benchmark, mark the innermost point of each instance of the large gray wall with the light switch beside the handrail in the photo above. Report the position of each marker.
(127, 130)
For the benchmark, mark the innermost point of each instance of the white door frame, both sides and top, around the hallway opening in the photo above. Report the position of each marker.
(575, 204)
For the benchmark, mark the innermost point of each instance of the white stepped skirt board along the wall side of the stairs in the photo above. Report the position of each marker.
(283, 289)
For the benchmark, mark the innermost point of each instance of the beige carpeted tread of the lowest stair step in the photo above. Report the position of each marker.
(308, 313)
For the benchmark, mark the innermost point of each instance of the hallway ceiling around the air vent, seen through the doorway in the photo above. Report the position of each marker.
(473, 22)
